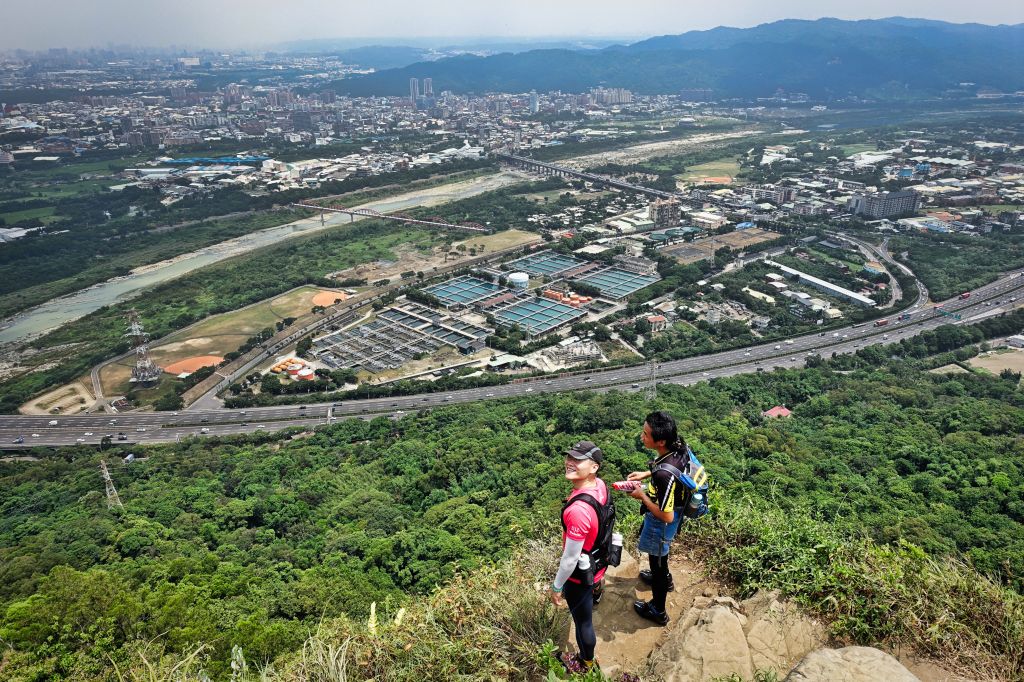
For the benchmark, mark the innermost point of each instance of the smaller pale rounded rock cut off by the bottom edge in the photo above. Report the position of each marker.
(851, 664)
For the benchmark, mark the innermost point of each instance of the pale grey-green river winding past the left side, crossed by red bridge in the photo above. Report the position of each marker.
(50, 316)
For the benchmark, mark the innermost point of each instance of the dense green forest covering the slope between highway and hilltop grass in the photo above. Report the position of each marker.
(252, 541)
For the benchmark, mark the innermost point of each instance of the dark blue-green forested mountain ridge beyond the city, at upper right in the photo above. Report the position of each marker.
(888, 59)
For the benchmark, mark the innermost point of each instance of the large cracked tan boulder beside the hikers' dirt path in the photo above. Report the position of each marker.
(718, 637)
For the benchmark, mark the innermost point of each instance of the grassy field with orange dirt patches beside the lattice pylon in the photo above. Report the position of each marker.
(217, 336)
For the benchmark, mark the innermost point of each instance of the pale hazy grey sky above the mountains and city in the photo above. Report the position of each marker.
(38, 24)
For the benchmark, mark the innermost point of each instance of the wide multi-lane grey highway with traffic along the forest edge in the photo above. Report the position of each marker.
(168, 428)
